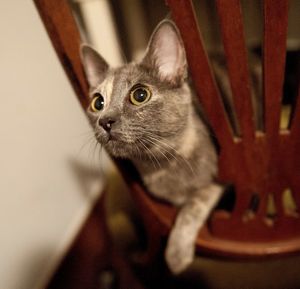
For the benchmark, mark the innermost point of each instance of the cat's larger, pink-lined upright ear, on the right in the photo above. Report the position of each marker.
(165, 53)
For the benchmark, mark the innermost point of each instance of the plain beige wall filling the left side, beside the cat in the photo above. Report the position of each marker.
(42, 129)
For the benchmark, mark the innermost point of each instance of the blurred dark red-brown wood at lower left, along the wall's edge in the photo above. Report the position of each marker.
(89, 254)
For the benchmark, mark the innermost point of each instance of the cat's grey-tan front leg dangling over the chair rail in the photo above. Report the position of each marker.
(191, 217)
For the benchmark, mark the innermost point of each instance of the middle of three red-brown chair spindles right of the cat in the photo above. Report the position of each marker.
(232, 30)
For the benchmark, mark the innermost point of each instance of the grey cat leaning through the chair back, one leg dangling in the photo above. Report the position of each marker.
(144, 112)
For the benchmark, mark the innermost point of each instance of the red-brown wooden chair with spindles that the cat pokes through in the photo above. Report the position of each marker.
(261, 165)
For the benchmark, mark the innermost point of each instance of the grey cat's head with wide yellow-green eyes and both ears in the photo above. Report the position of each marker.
(138, 105)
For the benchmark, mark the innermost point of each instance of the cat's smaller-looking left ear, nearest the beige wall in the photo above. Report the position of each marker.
(95, 67)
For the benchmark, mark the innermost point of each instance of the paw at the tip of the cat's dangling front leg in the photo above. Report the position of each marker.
(179, 257)
